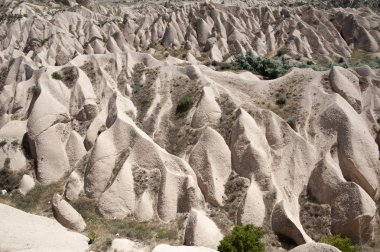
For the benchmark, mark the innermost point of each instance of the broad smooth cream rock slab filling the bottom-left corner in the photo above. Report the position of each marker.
(23, 231)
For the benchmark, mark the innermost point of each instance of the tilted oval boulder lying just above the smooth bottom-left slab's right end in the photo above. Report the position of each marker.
(66, 214)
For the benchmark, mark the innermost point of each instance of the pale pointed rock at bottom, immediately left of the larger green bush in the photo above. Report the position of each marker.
(201, 231)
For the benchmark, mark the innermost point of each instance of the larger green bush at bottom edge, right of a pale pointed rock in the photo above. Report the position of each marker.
(242, 239)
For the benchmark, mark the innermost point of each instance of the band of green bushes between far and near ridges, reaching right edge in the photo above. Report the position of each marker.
(273, 68)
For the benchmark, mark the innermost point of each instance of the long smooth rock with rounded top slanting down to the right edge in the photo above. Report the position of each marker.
(353, 136)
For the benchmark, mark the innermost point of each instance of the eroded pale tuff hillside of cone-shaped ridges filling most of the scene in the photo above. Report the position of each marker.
(116, 105)
